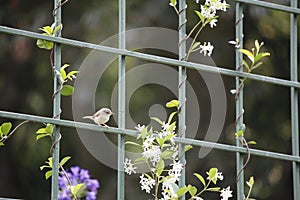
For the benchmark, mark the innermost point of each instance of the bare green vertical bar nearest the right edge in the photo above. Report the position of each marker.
(294, 100)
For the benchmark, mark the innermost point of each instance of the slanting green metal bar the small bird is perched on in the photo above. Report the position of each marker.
(134, 133)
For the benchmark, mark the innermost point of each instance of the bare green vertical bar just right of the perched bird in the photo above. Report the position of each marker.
(121, 100)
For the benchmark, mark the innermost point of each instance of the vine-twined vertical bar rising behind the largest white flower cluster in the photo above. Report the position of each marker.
(182, 85)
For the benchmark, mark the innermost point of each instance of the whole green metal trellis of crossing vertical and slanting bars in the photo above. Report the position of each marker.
(293, 84)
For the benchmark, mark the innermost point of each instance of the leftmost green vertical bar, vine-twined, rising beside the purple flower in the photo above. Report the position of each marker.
(56, 106)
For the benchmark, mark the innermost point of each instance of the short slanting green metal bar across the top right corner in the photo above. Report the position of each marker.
(271, 6)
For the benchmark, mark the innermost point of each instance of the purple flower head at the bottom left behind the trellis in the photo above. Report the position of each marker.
(76, 176)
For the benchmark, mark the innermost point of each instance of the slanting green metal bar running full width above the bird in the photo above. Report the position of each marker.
(153, 58)
